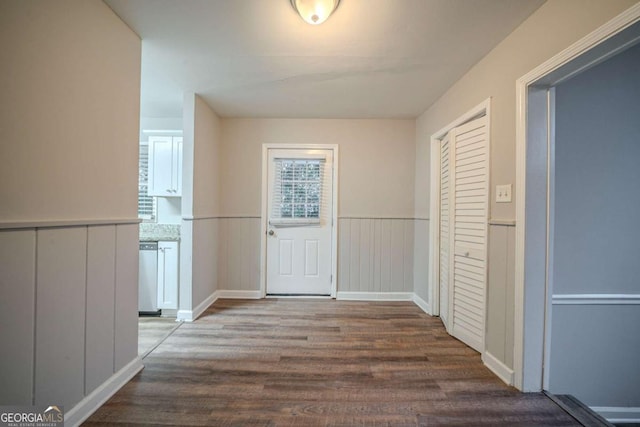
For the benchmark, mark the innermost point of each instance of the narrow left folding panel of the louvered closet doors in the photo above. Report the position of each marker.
(444, 231)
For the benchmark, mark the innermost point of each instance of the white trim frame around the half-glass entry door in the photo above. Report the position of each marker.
(265, 211)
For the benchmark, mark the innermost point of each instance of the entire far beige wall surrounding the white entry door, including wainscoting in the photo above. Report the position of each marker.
(375, 181)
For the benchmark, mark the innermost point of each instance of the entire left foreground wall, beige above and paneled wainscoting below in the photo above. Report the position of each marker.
(69, 111)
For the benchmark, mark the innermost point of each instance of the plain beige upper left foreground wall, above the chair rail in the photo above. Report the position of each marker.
(70, 84)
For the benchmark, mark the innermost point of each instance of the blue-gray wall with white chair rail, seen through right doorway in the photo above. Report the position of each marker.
(595, 346)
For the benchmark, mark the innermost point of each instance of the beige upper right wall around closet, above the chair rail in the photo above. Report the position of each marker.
(552, 28)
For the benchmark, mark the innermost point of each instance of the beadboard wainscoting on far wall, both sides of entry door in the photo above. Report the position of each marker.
(375, 255)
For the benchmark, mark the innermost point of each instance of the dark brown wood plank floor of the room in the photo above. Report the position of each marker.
(292, 362)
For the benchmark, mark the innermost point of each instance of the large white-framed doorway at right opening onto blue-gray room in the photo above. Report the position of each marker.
(547, 300)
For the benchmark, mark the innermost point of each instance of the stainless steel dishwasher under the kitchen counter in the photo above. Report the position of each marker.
(148, 279)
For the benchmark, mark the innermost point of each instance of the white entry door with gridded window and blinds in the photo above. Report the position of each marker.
(299, 227)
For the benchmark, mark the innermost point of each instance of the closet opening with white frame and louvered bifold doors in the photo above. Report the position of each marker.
(459, 226)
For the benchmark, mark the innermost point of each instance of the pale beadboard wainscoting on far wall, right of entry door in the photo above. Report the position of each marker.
(375, 255)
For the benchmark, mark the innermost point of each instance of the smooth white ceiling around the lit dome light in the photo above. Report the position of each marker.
(258, 58)
